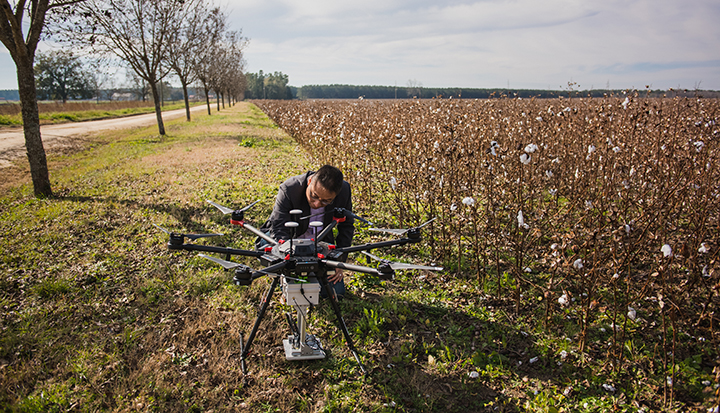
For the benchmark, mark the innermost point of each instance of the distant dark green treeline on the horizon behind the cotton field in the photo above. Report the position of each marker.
(393, 92)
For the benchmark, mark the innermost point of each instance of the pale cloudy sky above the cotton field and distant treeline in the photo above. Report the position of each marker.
(519, 44)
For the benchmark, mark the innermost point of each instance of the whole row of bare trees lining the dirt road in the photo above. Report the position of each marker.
(153, 37)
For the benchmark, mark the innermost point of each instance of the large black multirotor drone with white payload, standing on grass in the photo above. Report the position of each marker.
(300, 267)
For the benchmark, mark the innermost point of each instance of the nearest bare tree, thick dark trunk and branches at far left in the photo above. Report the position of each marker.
(22, 44)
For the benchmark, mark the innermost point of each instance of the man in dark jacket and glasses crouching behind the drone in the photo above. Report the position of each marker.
(317, 194)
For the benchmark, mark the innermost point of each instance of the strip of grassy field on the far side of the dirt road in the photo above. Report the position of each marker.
(83, 111)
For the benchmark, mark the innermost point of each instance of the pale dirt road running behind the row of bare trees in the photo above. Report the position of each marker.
(12, 140)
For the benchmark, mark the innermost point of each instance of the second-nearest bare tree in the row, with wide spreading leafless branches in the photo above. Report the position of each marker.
(137, 31)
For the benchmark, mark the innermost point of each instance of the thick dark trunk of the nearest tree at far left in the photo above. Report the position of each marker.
(31, 128)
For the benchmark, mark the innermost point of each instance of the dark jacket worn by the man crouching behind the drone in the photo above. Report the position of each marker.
(292, 196)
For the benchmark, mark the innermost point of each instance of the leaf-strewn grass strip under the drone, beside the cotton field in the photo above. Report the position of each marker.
(99, 316)
